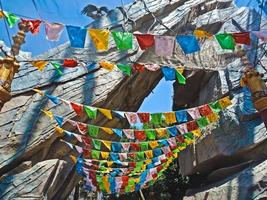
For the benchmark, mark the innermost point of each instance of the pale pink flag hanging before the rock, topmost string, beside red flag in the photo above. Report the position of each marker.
(164, 45)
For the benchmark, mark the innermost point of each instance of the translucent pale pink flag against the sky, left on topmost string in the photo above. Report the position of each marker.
(53, 31)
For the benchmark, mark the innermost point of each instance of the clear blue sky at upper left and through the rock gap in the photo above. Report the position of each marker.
(68, 12)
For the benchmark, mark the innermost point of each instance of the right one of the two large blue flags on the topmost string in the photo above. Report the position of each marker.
(188, 43)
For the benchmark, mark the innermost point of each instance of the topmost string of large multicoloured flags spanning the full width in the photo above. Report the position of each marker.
(164, 45)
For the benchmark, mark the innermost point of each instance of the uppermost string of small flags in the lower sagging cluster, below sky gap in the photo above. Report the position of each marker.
(173, 117)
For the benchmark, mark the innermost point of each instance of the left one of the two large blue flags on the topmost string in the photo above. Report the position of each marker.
(77, 36)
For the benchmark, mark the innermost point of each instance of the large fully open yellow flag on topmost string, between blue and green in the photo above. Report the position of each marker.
(100, 38)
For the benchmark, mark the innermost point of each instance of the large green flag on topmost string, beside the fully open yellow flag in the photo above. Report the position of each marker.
(123, 40)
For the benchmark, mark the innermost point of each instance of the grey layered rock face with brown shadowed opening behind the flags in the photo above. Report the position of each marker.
(34, 164)
